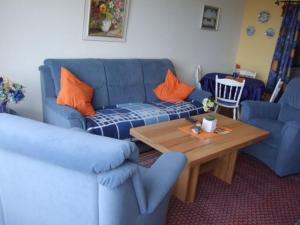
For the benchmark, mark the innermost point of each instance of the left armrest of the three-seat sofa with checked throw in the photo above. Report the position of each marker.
(63, 116)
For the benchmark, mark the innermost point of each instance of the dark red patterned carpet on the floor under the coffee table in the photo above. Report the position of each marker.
(256, 196)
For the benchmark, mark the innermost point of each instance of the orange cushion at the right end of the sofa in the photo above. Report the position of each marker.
(172, 90)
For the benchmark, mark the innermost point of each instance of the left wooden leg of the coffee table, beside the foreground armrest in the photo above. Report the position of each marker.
(186, 186)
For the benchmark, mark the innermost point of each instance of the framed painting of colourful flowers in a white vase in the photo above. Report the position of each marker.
(106, 20)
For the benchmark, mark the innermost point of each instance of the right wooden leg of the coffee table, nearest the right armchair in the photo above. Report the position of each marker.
(224, 167)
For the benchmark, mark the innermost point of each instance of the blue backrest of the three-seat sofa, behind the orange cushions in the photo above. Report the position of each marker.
(115, 81)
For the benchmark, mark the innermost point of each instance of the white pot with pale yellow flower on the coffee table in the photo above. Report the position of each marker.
(209, 123)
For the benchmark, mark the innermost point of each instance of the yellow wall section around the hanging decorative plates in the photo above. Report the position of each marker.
(256, 52)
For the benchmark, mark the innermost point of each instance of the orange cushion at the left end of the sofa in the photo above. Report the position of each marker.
(75, 93)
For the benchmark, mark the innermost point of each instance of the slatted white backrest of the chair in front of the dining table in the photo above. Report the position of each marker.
(228, 92)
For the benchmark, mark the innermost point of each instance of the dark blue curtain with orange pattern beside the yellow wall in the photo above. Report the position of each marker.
(286, 46)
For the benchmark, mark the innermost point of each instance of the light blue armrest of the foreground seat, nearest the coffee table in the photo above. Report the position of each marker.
(160, 178)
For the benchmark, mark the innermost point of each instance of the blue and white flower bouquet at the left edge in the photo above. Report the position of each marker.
(10, 93)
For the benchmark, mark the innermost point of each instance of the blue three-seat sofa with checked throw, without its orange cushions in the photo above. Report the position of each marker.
(123, 95)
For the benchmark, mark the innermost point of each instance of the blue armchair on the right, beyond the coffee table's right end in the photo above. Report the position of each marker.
(281, 151)
